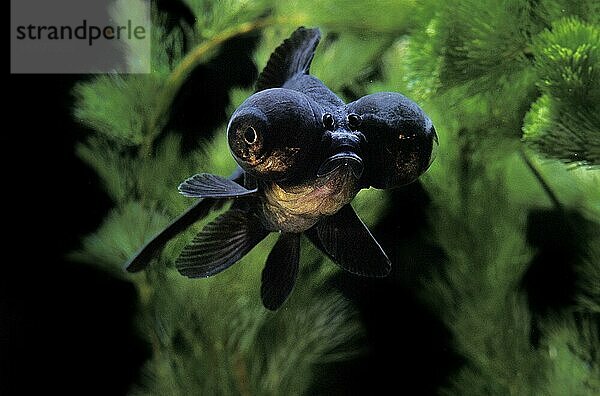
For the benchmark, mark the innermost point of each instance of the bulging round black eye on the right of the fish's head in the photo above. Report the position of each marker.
(400, 141)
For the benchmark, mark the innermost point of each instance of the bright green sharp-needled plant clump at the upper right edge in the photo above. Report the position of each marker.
(564, 123)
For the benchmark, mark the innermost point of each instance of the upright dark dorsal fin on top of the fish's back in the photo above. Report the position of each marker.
(291, 58)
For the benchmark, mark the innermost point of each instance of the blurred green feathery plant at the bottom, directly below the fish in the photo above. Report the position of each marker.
(230, 344)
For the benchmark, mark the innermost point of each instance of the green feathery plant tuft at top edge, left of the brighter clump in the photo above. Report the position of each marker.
(485, 42)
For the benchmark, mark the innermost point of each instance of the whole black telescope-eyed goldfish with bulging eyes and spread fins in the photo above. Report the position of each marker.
(303, 155)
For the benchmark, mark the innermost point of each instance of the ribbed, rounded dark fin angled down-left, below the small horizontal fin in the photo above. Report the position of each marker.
(220, 244)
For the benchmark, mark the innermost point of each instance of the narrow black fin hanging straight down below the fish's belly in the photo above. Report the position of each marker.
(280, 272)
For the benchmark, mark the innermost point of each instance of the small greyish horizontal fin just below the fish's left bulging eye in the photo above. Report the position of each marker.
(206, 185)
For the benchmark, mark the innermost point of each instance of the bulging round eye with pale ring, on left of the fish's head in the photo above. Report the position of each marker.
(272, 134)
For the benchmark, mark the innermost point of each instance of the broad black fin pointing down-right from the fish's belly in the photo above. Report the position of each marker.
(349, 243)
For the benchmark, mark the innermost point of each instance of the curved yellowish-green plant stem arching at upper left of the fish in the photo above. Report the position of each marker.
(182, 71)
